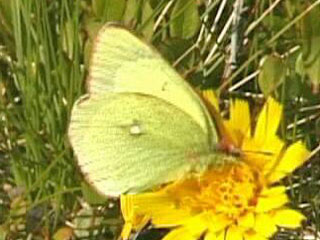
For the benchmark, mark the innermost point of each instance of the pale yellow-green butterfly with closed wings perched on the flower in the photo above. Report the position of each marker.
(141, 124)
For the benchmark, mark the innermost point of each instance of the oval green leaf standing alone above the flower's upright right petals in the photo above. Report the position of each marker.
(272, 74)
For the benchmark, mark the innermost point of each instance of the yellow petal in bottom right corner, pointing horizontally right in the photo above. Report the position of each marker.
(288, 218)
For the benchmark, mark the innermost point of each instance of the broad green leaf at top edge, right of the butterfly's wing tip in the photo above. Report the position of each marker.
(184, 19)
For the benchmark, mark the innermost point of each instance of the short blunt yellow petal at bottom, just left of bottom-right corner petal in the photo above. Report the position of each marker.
(265, 225)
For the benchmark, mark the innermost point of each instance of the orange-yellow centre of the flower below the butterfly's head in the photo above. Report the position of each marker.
(231, 190)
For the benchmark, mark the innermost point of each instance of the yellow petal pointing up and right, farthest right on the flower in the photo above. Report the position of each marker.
(293, 157)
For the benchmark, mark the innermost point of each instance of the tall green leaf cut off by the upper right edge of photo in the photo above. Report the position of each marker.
(311, 47)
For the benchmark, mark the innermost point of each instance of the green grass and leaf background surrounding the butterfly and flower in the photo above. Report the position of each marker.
(248, 49)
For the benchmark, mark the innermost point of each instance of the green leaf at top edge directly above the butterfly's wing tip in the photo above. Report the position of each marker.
(109, 10)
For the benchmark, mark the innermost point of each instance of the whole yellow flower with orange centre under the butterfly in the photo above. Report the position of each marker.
(235, 201)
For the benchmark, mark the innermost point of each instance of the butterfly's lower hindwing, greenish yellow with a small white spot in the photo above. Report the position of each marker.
(128, 142)
